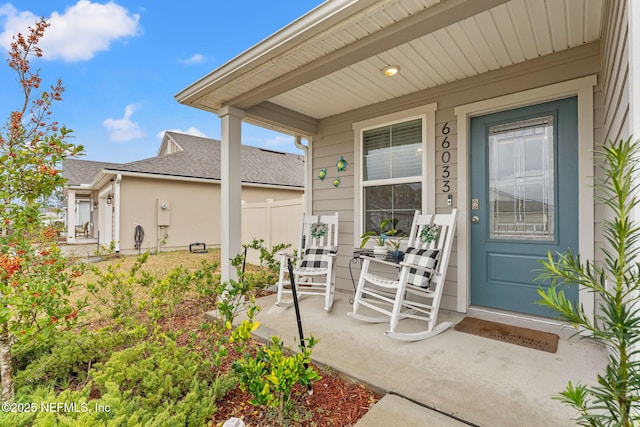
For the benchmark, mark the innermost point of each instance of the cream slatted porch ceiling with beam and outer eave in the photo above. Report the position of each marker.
(330, 60)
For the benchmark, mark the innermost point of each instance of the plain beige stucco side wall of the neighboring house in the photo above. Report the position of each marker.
(194, 211)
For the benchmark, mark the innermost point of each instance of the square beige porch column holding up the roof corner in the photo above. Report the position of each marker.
(230, 198)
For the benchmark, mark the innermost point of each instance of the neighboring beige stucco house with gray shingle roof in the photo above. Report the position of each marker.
(175, 196)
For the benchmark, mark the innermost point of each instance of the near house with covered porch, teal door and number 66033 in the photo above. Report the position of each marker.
(495, 109)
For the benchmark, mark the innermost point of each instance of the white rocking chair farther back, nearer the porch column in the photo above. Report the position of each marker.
(314, 271)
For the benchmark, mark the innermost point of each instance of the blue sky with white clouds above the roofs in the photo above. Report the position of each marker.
(123, 61)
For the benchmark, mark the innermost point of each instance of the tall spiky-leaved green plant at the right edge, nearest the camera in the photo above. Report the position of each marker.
(614, 400)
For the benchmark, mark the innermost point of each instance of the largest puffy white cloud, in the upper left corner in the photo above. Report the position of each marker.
(76, 35)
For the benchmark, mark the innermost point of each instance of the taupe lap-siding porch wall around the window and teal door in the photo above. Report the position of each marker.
(336, 138)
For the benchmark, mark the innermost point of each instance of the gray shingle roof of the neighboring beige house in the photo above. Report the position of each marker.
(200, 158)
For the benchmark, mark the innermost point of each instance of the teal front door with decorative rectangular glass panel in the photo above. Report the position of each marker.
(524, 201)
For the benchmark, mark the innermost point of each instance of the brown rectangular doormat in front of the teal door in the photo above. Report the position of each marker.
(537, 340)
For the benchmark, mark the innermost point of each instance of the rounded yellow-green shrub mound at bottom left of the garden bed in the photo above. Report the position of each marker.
(157, 382)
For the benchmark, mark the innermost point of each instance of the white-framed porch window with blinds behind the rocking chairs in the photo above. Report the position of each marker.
(392, 174)
